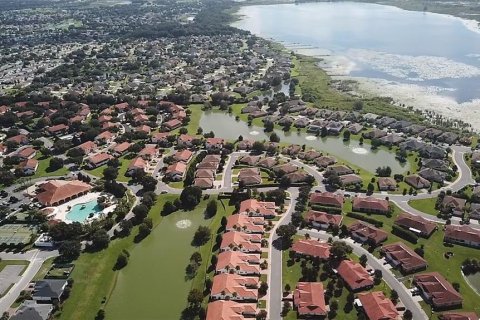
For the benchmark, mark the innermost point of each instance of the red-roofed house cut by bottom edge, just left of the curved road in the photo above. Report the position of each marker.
(377, 306)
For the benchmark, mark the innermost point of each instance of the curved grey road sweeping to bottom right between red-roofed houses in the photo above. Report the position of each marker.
(388, 276)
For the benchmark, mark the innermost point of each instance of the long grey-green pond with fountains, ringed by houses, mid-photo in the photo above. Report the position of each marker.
(225, 126)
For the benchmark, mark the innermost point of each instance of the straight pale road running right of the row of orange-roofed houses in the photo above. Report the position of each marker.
(275, 272)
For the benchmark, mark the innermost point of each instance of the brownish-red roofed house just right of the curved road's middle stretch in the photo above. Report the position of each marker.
(401, 256)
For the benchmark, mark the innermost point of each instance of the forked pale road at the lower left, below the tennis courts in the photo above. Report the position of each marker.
(36, 258)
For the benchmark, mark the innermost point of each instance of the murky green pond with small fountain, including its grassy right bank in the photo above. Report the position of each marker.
(153, 285)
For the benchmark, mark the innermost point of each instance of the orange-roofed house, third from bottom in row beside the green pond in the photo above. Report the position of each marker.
(245, 264)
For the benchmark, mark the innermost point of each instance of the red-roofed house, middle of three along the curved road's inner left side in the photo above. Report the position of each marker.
(355, 276)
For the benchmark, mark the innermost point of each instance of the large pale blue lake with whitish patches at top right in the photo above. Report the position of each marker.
(438, 53)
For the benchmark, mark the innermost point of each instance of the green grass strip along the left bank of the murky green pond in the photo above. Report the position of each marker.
(93, 276)
